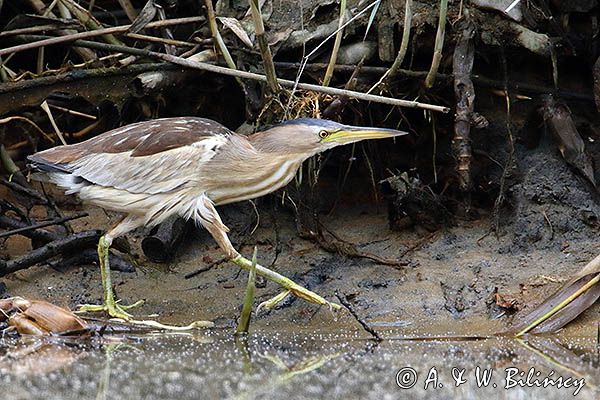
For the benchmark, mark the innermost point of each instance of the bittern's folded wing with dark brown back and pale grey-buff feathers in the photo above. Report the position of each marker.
(147, 157)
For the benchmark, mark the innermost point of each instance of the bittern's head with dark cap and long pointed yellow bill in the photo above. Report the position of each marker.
(311, 136)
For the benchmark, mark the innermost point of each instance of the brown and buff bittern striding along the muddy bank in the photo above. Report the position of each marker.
(151, 170)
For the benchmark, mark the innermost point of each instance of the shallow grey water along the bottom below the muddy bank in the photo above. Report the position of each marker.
(292, 366)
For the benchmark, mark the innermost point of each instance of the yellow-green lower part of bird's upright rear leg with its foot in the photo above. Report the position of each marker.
(110, 305)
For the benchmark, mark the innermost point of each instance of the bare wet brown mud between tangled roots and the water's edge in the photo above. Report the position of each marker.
(450, 285)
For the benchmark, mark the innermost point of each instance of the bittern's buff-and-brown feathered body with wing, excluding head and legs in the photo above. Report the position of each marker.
(154, 169)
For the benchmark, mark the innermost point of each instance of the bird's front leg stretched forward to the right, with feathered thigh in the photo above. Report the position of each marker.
(212, 222)
